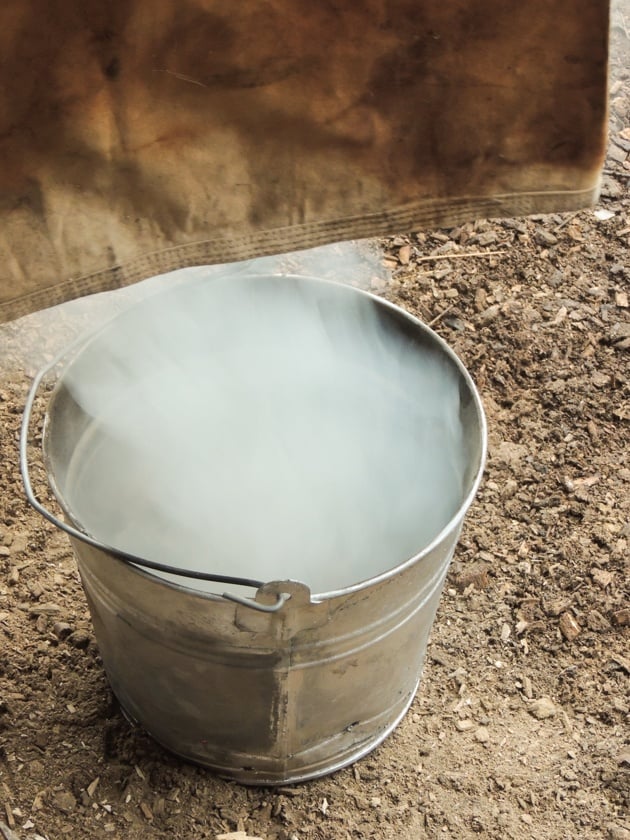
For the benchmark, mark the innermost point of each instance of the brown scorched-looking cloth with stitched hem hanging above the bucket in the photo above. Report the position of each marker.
(220, 132)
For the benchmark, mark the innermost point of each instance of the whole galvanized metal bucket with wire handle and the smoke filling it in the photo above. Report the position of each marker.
(288, 434)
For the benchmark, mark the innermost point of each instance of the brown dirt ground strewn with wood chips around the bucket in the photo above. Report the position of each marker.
(519, 728)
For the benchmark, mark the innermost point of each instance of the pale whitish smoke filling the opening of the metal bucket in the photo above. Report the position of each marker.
(270, 428)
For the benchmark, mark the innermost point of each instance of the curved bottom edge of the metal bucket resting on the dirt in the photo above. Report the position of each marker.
(248, 775)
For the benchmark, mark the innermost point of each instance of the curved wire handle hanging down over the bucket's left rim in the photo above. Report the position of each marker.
(130, 559)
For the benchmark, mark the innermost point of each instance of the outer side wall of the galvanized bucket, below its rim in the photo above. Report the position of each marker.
(265, 699)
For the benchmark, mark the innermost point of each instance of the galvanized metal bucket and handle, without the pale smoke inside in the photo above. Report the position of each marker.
(285, 685)
